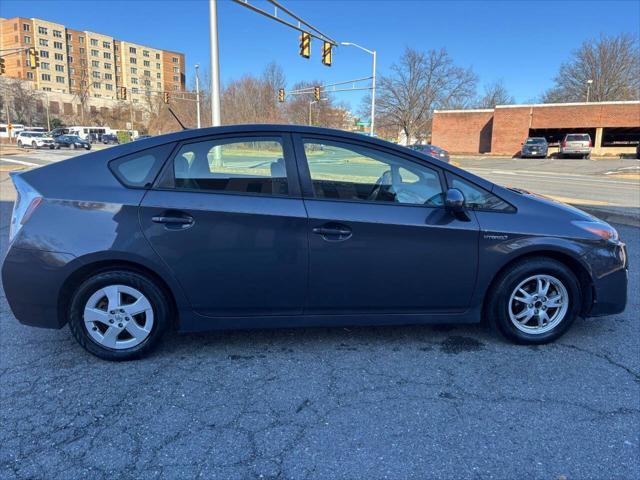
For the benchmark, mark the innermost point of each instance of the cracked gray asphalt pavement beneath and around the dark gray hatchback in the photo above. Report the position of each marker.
(397, 403)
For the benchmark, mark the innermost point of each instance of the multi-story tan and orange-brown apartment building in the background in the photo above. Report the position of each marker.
(88, 63)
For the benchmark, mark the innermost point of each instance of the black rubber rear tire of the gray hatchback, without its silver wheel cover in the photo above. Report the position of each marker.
(153, 293)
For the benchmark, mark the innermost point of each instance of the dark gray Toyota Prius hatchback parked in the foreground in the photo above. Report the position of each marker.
(271, 226)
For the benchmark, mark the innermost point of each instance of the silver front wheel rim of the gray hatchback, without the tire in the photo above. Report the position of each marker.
(538, 304)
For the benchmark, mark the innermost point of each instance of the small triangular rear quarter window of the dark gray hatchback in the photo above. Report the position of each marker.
(139, 169)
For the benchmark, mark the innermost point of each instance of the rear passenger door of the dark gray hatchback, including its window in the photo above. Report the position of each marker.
(228, 219)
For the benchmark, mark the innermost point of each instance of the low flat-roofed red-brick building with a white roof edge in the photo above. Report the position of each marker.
(614, 127)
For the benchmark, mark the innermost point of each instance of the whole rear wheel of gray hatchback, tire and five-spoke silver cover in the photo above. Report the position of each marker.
(118, 315)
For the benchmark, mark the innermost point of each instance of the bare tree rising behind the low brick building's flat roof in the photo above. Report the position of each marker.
(612, 62)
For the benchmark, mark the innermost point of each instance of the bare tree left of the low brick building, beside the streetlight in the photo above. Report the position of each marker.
(419, 83)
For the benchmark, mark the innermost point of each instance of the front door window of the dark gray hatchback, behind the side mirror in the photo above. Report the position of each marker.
(344, 171)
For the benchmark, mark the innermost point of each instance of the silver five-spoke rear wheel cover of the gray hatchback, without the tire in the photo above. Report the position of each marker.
(118, 317)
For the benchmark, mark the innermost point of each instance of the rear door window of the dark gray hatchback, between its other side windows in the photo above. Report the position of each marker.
(242, 165)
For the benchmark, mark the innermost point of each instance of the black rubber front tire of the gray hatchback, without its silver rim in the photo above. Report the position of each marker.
(508, 282)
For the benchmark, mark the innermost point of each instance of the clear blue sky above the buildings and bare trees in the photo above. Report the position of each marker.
(519, 42)
